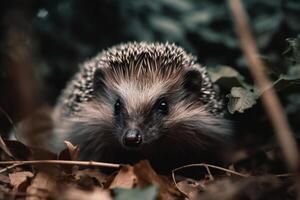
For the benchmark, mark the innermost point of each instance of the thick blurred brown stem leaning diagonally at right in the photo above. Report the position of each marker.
(269, 97)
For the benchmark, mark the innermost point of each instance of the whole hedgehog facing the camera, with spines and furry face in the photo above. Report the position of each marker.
(142, 100)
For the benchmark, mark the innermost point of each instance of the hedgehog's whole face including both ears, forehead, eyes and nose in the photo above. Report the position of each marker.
(147, 107)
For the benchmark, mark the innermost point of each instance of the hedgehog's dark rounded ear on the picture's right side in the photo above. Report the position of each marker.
(193, 81)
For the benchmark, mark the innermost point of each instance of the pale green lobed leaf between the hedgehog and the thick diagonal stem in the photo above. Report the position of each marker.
(240, 99)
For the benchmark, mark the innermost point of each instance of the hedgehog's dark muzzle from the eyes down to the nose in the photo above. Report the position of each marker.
(138, 127)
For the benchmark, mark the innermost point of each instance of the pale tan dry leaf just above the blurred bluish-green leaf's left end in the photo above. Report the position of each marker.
(125, 178)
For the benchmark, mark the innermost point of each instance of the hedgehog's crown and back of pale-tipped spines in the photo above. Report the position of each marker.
(145, 63)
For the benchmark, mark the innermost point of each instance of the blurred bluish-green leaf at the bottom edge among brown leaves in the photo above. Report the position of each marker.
(149, 193)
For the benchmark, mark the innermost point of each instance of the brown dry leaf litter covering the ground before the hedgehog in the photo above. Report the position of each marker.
(250, 177)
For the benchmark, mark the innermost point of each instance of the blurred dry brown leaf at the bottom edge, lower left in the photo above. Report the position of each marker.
(41, 187)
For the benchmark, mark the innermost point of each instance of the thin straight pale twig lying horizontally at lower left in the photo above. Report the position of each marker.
(14, 164)
